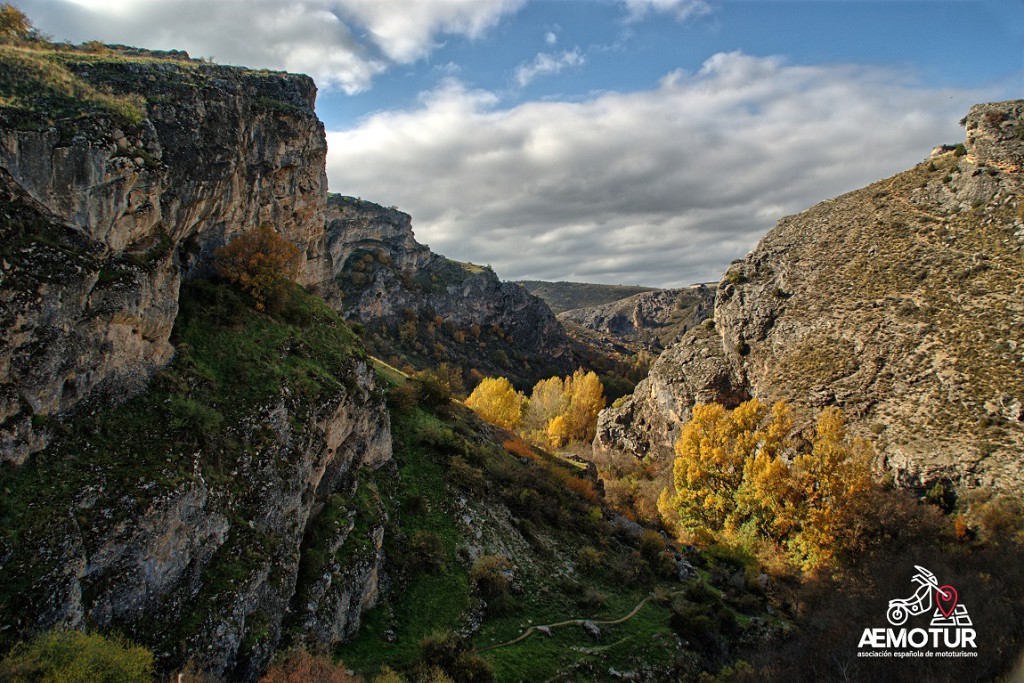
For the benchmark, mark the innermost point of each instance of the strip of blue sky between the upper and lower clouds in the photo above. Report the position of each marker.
(957, 44)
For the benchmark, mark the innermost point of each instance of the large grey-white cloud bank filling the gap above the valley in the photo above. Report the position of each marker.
(663, 187)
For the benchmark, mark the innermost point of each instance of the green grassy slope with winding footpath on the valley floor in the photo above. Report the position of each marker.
(491, 539)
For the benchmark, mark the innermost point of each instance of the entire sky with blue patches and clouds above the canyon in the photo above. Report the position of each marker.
(618, 142)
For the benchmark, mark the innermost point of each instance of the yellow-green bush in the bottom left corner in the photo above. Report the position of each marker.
(72, 657)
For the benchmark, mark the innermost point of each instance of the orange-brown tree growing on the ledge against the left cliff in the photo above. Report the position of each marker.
(262, 262)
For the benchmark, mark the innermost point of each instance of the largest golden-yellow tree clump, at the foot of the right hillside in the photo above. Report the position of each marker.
(733, 481)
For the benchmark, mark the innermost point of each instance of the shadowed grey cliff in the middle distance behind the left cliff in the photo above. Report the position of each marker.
(421, 308)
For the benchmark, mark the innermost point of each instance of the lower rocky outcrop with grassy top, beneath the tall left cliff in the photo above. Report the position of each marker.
(208, 521)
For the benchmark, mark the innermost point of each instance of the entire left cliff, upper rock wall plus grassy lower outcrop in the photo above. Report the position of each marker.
(209, 519)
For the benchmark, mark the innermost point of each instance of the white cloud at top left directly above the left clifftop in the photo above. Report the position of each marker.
(340, 44)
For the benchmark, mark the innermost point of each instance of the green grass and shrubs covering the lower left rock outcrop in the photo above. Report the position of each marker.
(198, 428)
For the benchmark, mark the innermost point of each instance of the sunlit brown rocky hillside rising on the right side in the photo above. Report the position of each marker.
(901, 304)
